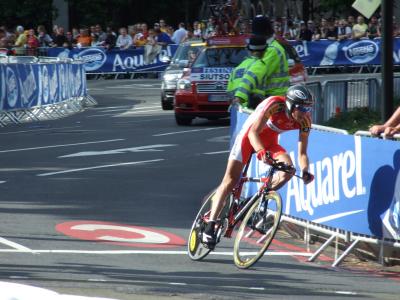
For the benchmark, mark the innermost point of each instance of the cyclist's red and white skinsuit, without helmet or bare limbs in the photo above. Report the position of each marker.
(277, 123)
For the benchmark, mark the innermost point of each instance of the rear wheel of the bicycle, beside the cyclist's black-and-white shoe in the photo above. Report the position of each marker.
(196, 250)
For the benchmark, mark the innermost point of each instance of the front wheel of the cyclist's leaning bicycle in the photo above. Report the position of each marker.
(257, 230)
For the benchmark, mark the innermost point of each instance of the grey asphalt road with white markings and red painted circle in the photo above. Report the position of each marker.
(100, 204)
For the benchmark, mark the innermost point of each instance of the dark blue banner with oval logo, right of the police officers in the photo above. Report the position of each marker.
(347, 52)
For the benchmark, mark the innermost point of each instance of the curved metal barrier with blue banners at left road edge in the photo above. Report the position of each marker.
(34, 89)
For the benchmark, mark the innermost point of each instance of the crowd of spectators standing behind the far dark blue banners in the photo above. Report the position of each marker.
(152, 38)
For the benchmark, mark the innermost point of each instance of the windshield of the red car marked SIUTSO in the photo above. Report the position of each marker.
(220, 57)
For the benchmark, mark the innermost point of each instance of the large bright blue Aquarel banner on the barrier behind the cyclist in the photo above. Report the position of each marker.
(356, 186)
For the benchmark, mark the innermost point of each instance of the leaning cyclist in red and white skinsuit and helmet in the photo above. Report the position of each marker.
(259, 134)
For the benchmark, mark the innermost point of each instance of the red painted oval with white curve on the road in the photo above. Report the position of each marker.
(120, 234)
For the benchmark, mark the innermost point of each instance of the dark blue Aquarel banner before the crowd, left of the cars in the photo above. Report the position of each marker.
(100, 60)
